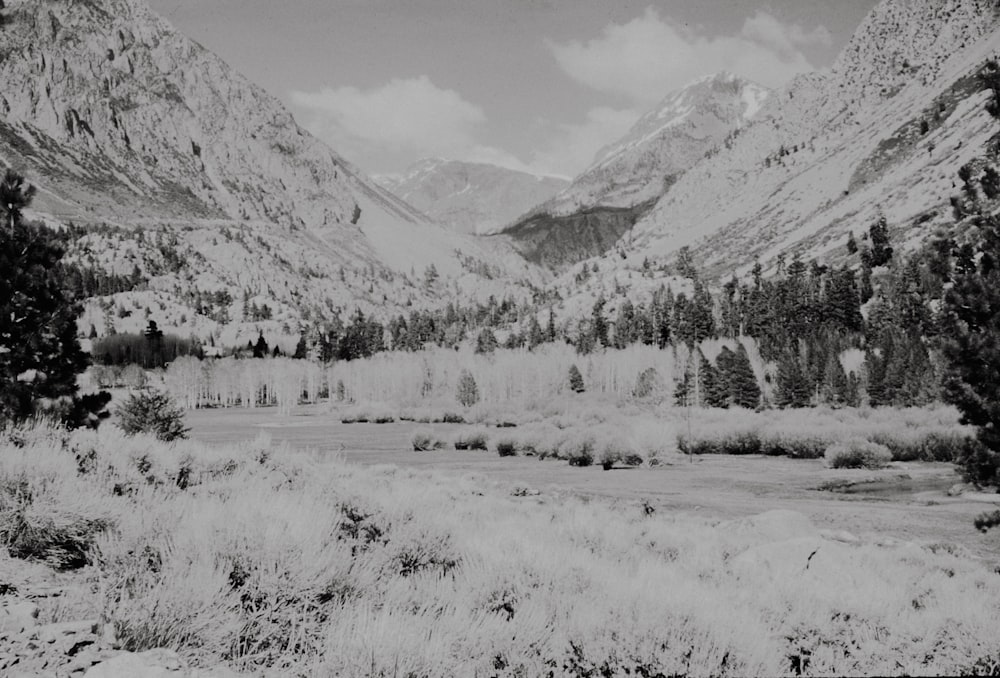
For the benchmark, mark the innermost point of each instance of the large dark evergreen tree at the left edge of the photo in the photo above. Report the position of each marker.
(40, 356)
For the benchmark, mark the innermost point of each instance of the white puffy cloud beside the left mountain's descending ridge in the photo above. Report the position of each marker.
(395, 123)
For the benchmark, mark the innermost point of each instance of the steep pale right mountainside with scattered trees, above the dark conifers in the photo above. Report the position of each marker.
(885, 132)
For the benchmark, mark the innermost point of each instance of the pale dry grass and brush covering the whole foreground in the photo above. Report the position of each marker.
(277, 563)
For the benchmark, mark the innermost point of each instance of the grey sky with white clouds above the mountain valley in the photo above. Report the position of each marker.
(539, 85)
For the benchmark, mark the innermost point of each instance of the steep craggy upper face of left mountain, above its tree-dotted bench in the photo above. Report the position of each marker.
(162, 117)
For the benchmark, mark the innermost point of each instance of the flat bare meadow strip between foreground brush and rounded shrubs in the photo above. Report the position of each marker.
(905, 502)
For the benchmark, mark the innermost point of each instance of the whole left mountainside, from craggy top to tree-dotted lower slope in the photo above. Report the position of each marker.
(120, 120)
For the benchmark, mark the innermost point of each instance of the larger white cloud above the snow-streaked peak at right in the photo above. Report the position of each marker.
(650, 56)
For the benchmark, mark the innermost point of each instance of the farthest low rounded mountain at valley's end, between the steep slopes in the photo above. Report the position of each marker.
(470, 197)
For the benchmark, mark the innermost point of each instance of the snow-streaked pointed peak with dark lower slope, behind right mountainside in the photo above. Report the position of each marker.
(627, 177)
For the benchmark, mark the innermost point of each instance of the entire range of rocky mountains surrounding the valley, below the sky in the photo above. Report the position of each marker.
(182, 169)
